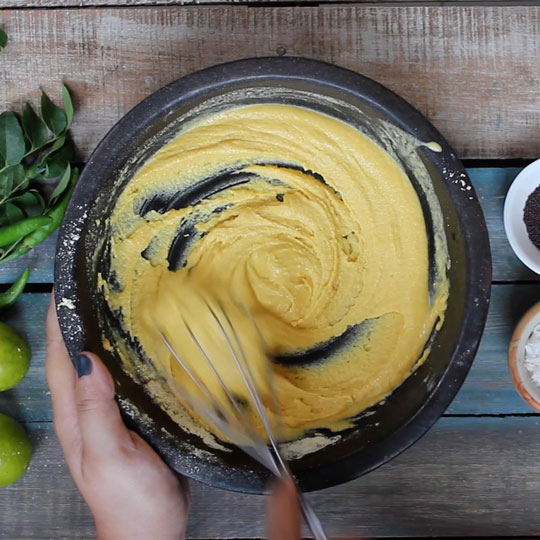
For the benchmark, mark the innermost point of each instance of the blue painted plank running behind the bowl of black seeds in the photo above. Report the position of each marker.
(491, 185)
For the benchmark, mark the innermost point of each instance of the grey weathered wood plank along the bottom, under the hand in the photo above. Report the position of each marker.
(466, 477)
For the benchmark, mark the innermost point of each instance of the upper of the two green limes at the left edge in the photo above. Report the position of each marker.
(14, 357)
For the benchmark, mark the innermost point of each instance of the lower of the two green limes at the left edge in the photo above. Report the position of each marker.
(15, 450)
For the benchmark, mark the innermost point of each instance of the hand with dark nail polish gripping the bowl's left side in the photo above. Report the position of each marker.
(131, 492)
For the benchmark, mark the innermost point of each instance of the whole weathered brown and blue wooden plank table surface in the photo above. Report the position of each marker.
(473, 70)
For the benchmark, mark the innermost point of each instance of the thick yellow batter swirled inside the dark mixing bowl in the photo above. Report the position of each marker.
(319, 233)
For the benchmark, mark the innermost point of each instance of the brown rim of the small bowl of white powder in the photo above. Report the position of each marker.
(521, 332)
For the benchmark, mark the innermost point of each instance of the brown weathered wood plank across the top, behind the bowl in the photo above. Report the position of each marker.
(472, 70)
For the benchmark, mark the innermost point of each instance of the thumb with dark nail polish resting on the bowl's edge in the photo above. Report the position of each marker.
(103, 432)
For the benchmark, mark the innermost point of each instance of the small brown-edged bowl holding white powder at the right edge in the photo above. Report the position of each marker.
(523, 382)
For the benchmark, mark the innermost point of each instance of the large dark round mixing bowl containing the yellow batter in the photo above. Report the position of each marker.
(412, 408)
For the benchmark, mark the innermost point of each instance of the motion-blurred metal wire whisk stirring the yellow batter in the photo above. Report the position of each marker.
(233, 421)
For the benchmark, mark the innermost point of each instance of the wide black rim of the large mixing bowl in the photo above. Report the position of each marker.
(471, 219)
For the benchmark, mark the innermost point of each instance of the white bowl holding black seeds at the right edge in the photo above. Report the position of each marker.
(524, 184)
